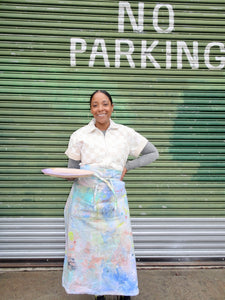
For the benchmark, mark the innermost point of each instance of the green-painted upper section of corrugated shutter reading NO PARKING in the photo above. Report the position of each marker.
(176, 100)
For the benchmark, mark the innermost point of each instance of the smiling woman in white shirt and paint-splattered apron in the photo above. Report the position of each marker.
(99, 256)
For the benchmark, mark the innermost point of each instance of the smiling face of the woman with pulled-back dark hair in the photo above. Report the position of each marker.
(101, 109)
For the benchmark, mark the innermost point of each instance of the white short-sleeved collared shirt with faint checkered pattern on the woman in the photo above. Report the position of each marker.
(110, 150)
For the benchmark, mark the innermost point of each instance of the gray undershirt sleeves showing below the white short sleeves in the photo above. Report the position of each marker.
(148, 155)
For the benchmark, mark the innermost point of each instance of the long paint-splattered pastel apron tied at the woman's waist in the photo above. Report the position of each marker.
(99, 257)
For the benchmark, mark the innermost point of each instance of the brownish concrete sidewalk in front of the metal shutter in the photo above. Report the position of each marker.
(154, 283)
